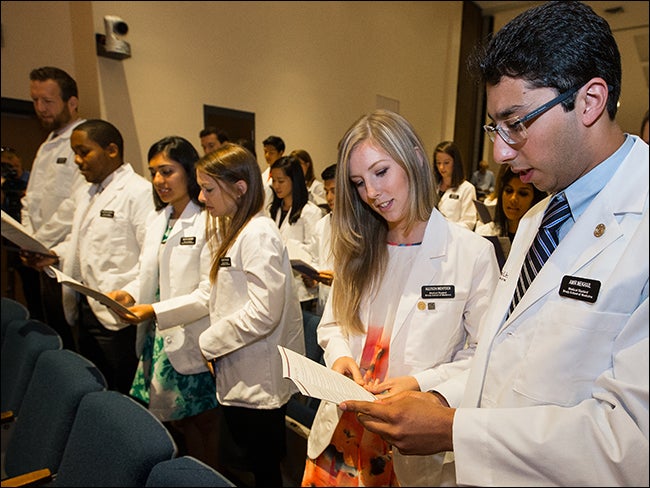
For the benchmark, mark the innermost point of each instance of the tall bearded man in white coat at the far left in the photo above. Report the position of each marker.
(47, 207)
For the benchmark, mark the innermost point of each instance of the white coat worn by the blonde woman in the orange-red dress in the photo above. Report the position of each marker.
(429, 334)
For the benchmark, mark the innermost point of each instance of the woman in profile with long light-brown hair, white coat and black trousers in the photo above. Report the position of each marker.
(253, 309)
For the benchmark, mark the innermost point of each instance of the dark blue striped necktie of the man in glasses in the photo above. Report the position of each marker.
(543, 246)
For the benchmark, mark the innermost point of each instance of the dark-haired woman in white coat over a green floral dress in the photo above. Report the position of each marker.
(170, 300)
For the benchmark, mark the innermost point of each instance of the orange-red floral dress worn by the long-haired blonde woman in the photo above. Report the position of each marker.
(355, 456)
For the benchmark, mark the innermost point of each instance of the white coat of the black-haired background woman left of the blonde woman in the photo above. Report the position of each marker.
(298, 238)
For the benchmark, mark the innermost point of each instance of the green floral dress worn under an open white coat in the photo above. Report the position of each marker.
(169, 394)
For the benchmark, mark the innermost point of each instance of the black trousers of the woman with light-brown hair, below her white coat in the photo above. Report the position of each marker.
(259, 439)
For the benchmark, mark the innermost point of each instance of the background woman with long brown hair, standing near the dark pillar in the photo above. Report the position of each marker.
(456, 194)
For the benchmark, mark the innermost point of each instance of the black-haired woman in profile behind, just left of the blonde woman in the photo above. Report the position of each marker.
(296, 217)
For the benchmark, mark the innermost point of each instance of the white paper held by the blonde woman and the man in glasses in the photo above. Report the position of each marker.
(317, 381)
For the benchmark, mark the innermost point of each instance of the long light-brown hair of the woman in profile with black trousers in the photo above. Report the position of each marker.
(227, 165)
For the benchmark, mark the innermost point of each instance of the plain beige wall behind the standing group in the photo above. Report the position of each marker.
(306, 69)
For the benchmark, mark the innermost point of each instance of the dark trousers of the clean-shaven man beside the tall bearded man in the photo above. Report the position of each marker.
(113, 352)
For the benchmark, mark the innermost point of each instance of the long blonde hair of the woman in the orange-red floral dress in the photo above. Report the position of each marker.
(358, 232)
